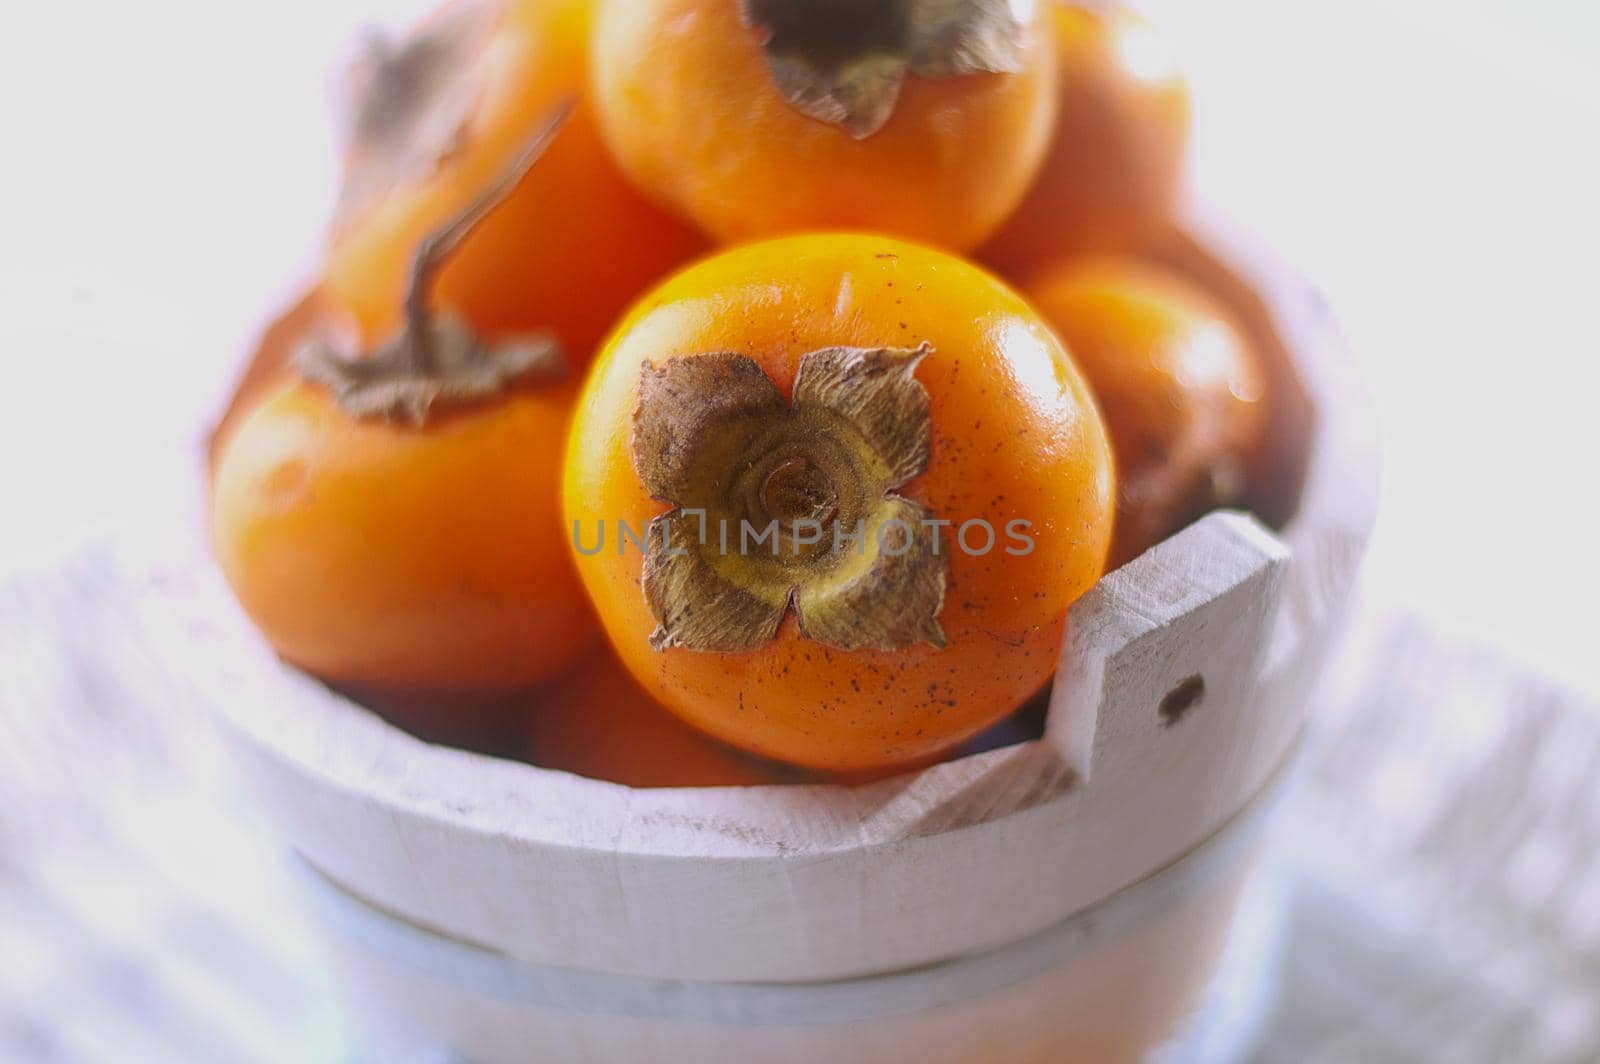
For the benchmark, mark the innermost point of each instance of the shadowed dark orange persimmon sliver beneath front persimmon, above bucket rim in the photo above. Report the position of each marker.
(598, 722)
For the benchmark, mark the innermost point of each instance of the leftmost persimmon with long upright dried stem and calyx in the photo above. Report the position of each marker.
(391, 521)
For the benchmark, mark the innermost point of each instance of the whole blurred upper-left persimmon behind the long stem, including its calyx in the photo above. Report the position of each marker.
(438, 119)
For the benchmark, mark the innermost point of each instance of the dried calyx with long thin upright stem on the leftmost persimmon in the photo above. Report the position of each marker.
(439, 361)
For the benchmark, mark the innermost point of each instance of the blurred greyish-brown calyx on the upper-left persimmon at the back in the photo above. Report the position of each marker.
(412, 103)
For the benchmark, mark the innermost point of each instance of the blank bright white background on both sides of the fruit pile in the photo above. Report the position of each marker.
(1433, 164)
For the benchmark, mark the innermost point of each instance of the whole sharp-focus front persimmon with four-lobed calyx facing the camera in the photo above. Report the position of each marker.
(833, 497)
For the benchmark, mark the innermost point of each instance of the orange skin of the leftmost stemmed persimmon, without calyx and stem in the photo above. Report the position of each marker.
(406, 561)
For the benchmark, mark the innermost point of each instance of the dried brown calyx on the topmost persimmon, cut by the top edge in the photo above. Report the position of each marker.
(844, 62)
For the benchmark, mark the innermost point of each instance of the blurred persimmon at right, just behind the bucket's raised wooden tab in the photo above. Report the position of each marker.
(1178, 385)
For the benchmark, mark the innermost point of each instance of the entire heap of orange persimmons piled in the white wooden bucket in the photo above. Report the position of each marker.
(737, 391)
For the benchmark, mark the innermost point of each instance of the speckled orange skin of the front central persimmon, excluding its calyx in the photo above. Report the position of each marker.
(1015, 438)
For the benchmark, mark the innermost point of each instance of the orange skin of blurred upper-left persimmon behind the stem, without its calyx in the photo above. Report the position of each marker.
(567, 252)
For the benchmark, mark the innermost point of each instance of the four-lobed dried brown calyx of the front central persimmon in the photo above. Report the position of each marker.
(785, 505)
